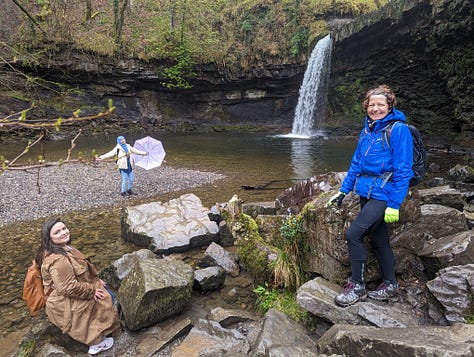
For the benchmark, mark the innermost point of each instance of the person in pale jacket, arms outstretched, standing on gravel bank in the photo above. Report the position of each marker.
(125, 163)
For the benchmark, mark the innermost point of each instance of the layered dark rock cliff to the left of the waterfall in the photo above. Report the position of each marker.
(219, 96)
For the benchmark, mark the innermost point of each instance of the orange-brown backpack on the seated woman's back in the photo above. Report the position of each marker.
(33, 292)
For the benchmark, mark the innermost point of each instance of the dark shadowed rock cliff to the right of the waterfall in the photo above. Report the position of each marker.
(424, 50)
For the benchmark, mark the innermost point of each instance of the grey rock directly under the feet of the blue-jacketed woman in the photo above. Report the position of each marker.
(317, 296)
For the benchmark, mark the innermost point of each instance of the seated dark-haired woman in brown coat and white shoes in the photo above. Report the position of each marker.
(80, 304)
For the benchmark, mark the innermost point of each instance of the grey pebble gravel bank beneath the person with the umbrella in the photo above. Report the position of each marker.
(29, 195)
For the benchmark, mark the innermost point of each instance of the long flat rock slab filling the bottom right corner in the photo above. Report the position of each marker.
(433, 341)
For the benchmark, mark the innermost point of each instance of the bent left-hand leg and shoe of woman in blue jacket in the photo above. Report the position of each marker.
(370, 215)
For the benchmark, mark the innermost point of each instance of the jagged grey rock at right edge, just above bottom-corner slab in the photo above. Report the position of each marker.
(453, 288)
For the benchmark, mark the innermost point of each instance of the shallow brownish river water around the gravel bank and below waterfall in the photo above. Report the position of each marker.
(268, 162)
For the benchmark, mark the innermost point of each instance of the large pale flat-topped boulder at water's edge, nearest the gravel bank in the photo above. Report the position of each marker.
(175, 226)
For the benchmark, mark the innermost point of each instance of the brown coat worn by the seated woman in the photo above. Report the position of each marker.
(71, 305)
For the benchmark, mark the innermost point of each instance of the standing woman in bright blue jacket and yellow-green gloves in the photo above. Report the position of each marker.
(379, 173)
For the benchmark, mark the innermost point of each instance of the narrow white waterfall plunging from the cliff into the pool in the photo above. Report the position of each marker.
(311, 108)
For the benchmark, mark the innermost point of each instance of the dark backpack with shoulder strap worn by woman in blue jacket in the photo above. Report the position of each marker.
(419, 151)
